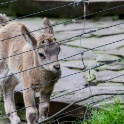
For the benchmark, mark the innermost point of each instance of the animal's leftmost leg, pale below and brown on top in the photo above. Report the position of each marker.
(9, 101)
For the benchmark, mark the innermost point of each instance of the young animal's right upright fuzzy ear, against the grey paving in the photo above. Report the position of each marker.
(47, 26)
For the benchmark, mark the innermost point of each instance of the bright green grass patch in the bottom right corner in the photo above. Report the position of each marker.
(107, 114)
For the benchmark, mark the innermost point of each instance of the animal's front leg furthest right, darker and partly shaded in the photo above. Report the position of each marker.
(44, 105)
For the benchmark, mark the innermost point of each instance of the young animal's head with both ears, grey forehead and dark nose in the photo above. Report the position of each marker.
(48, 48)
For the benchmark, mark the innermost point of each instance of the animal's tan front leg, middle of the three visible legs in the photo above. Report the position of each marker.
(31, 111)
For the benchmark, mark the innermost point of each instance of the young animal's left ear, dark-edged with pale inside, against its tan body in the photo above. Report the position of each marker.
(30, 39)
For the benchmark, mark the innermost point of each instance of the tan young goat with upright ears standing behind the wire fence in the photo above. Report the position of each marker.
(47, 52)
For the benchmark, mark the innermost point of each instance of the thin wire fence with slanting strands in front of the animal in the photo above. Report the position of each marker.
(60, 114)
